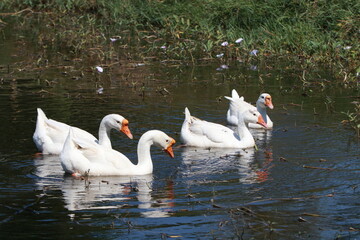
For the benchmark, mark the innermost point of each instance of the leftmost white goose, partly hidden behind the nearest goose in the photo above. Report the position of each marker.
(50, 135)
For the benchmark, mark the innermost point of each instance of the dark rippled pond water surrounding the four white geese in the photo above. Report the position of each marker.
(300, 183)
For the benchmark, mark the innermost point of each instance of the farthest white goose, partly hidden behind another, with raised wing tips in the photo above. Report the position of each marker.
(263, 101)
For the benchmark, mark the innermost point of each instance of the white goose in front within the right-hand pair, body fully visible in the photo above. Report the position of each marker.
(199, 133)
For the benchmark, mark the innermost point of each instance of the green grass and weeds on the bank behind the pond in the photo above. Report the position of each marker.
(319, 31)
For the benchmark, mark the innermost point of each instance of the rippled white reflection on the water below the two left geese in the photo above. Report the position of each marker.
(110, 192)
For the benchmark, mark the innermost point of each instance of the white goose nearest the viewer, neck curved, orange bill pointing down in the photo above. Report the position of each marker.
(81, 158)
